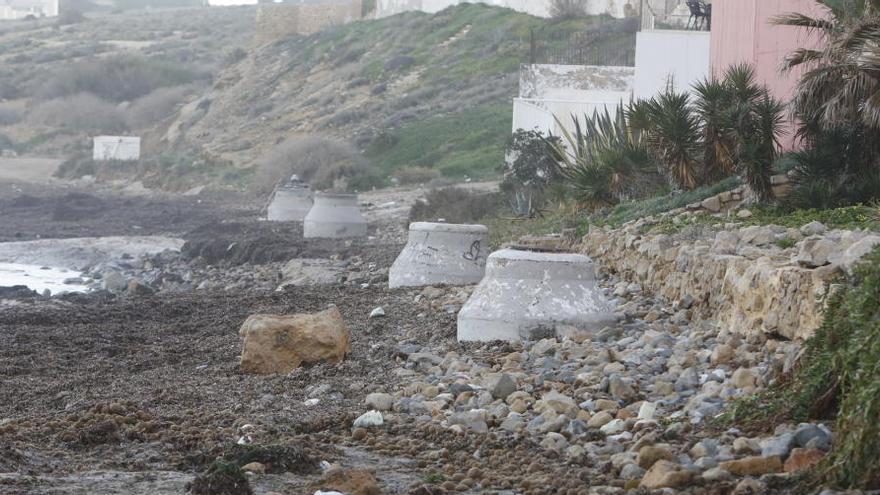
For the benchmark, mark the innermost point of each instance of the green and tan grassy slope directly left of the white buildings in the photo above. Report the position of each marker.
(413, 90)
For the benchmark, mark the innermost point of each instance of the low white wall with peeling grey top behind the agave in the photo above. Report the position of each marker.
(551, 92)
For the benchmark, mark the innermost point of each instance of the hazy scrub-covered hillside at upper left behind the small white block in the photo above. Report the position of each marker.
(122, 72)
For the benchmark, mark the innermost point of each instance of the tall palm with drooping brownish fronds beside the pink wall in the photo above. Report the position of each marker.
(837, 99)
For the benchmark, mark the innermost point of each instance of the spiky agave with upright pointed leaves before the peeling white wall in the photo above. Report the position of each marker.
(603, 161)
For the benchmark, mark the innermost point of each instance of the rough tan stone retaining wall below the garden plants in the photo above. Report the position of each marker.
(759, 279)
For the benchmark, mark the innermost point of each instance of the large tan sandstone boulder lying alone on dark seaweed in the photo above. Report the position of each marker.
(280, 344)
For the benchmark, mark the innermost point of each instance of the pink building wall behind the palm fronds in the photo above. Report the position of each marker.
(742, 31)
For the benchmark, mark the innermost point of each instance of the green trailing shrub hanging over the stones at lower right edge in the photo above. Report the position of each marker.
(838, 375)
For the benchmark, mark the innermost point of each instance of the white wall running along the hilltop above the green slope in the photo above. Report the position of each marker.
(539, 8)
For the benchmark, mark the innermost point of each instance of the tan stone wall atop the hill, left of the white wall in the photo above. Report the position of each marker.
(279, 21)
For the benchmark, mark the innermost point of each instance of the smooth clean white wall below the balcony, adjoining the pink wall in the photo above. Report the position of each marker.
(663, 56)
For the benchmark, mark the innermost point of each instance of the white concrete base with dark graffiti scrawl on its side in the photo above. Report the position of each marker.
(439, 253)
